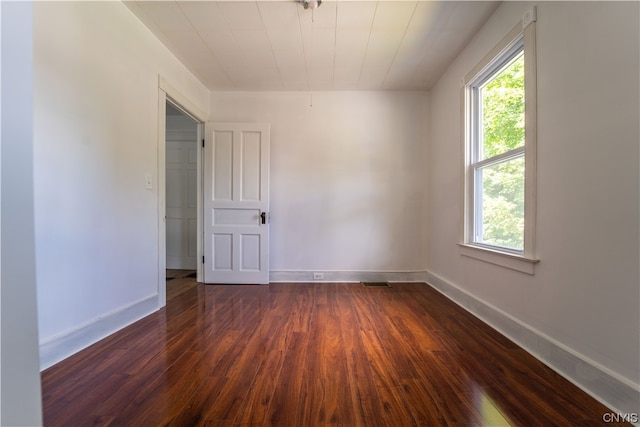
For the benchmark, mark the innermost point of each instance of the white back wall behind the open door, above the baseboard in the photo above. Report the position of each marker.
(348, 180)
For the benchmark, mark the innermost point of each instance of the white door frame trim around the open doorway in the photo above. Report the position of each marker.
(166, 92)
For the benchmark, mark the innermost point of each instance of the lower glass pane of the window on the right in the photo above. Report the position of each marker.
(500, 208)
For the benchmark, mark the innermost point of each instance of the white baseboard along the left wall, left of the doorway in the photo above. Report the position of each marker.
(61, 346)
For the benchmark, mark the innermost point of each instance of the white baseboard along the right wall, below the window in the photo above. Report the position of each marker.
(616, 392)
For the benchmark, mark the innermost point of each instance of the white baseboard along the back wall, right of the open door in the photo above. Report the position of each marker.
(305, 276)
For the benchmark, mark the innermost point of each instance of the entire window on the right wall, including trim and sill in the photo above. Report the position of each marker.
(500, 104)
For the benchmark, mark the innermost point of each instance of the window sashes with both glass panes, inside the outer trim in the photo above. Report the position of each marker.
(497, 154)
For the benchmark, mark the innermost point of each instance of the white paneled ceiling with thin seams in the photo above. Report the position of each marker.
(342, 45)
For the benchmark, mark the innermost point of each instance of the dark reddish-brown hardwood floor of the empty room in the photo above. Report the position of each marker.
(309, 355)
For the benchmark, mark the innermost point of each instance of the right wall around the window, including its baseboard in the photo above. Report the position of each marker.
(582, 304)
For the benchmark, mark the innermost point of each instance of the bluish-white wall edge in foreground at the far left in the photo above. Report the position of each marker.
(21, 403)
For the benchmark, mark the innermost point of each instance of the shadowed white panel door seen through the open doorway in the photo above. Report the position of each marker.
(182, 200)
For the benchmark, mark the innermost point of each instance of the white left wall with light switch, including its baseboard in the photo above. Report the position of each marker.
(96, 131)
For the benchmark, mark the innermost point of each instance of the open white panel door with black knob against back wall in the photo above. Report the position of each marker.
(236, 203)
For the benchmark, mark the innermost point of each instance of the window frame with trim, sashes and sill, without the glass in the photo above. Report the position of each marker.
(521, 37)
